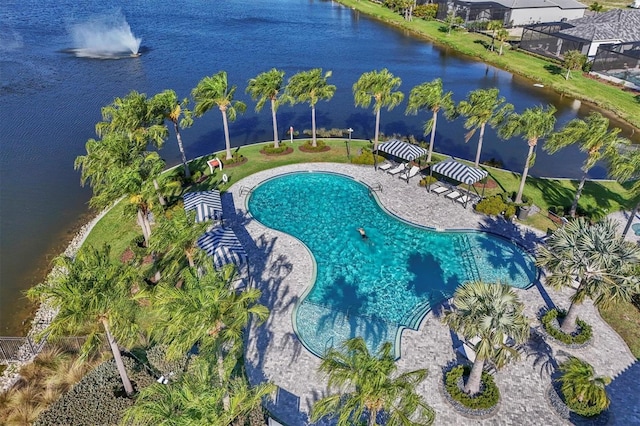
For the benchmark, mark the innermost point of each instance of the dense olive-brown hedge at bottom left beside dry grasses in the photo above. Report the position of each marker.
(97, 399)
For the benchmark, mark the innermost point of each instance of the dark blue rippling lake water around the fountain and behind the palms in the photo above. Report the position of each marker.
(51, 99)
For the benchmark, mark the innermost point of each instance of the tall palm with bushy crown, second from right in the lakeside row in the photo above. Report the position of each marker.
(593, 137)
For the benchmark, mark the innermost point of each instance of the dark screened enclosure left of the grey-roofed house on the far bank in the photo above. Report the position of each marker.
(547, 40)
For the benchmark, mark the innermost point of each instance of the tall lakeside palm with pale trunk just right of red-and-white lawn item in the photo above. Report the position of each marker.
(215, 91)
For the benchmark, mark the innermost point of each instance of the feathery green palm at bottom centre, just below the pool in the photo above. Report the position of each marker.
(369, 385)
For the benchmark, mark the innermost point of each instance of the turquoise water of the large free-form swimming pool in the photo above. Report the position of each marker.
(377, 286)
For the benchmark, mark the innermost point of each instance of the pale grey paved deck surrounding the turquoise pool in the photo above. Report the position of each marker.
(283, 269)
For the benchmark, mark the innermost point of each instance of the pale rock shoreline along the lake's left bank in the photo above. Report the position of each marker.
(45, 313)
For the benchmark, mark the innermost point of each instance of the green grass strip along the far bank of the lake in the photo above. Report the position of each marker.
(624, 104)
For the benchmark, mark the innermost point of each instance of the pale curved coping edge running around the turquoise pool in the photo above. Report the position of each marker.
(419, 319)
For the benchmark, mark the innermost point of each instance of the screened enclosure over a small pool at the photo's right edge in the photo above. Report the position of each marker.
(620, 62)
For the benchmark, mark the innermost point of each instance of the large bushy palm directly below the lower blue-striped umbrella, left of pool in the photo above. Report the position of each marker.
(209, 312)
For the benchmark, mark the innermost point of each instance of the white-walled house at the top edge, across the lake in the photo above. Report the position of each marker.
(513, 13)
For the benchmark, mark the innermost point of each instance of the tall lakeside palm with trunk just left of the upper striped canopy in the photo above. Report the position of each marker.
(380, 87)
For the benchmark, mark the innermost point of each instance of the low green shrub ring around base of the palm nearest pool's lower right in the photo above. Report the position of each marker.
(488, 396)
